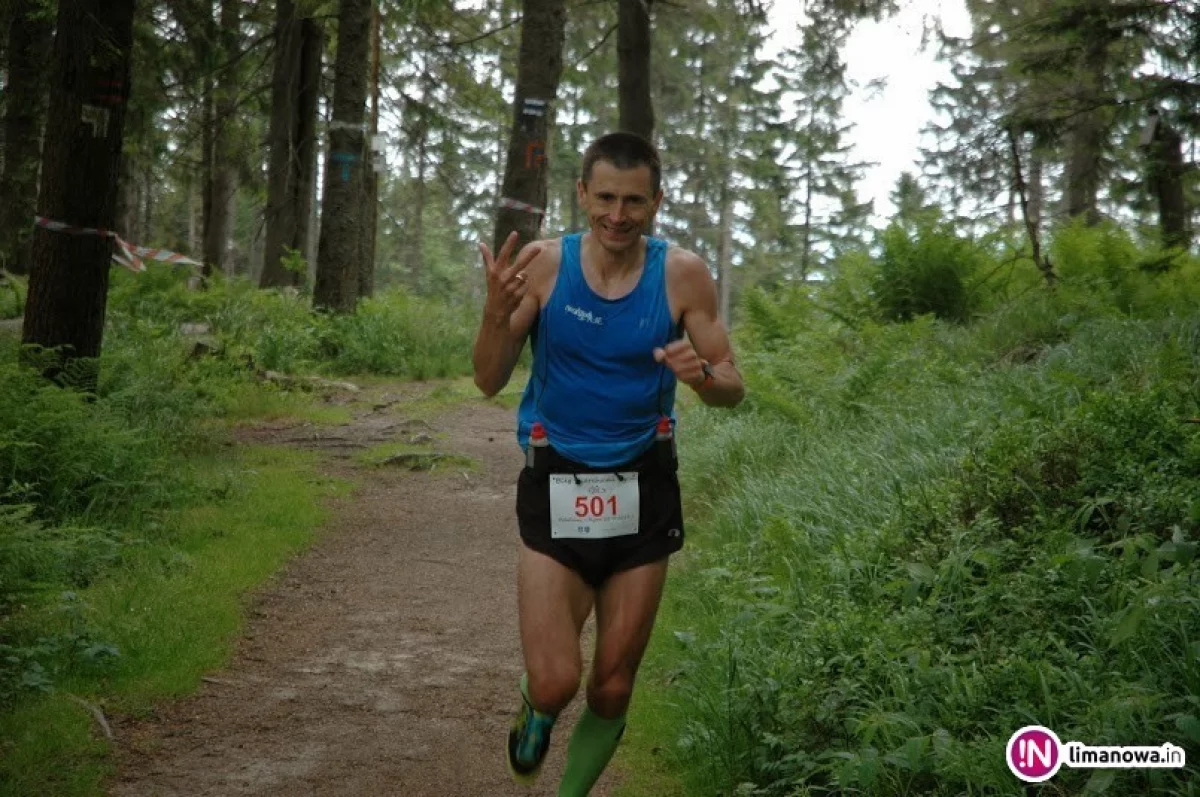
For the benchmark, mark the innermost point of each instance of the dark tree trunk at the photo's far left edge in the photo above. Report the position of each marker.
(29, 46)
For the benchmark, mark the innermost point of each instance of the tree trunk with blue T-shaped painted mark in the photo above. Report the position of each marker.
(338, 254)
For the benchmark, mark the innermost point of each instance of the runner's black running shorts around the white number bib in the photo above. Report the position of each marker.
(659, 528)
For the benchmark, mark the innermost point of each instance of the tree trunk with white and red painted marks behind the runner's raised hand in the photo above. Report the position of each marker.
(524, 194)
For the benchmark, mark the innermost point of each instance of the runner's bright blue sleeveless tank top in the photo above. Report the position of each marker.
(596, 386)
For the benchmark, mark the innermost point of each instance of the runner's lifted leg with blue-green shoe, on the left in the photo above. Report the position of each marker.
(554, 603)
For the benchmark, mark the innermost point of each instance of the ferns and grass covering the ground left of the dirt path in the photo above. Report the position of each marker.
(131, 529)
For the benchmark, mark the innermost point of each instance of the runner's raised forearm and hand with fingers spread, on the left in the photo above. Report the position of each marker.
(509, 313)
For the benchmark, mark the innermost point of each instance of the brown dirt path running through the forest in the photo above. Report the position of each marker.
(383, 662)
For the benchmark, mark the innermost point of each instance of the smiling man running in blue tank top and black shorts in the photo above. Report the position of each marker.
(598, 502)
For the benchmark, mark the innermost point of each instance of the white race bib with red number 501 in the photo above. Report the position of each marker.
(593, 506)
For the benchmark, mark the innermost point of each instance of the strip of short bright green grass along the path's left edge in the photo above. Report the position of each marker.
(151, 630)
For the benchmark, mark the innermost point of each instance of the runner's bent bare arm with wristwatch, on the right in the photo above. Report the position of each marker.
(694, 293)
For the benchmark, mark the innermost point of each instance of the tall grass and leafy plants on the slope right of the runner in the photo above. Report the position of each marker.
(920, 538)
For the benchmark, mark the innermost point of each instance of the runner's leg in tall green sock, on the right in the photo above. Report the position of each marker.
(626, 610)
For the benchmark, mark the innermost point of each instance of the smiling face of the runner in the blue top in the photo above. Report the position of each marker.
(620, 205)
